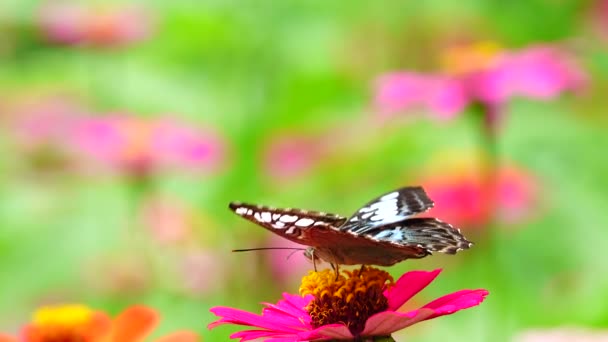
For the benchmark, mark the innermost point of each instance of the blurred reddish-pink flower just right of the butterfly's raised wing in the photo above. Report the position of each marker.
(460, 196)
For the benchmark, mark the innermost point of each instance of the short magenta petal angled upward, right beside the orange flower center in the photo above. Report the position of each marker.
(407, 286)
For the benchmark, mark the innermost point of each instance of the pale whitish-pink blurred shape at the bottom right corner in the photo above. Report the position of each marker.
(563, 334)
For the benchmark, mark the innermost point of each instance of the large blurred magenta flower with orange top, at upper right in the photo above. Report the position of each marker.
(488, 77)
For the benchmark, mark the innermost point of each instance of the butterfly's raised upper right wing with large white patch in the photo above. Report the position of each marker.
(389, 208)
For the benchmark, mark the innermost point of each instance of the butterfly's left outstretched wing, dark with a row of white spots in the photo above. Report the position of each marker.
(293, 224)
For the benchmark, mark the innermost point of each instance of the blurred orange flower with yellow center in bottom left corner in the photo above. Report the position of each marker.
(79, 323)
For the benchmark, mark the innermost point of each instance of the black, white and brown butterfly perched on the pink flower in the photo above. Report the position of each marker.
(383, 232)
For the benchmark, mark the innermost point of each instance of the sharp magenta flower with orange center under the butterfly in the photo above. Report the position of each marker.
(353, 305)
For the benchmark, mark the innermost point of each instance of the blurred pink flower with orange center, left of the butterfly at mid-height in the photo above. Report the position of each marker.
(139, 147)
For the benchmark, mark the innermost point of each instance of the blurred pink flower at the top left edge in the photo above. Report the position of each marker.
(73, 23)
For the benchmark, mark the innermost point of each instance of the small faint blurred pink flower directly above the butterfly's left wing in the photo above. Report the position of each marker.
(291, 156)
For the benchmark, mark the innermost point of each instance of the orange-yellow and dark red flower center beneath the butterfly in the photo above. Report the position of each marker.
(350, 298)
